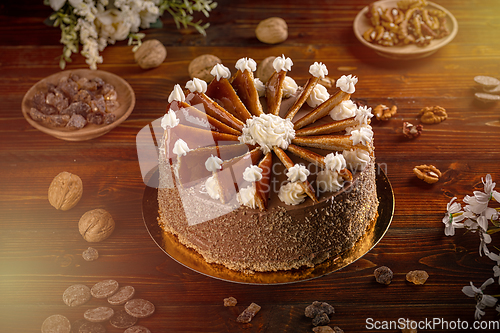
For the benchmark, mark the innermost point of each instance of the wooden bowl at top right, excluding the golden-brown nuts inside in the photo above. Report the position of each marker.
(404, 52)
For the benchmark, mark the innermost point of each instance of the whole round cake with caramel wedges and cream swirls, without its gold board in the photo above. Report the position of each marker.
(266, 177)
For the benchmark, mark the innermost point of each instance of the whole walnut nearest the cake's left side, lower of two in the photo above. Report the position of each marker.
(96, 225)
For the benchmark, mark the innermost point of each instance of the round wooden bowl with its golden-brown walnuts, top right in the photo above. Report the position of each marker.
(405, 29)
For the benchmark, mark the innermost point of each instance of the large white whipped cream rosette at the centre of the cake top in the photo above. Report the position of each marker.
(268, 131)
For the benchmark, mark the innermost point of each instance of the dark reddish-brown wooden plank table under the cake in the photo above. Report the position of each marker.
(40, 247)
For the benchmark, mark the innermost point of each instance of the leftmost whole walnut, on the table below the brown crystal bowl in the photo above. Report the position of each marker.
(65, 191)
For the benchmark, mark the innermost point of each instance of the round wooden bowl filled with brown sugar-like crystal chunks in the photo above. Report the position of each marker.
(78, 105)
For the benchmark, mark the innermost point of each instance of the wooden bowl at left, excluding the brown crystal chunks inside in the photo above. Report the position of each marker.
(126, 98)
